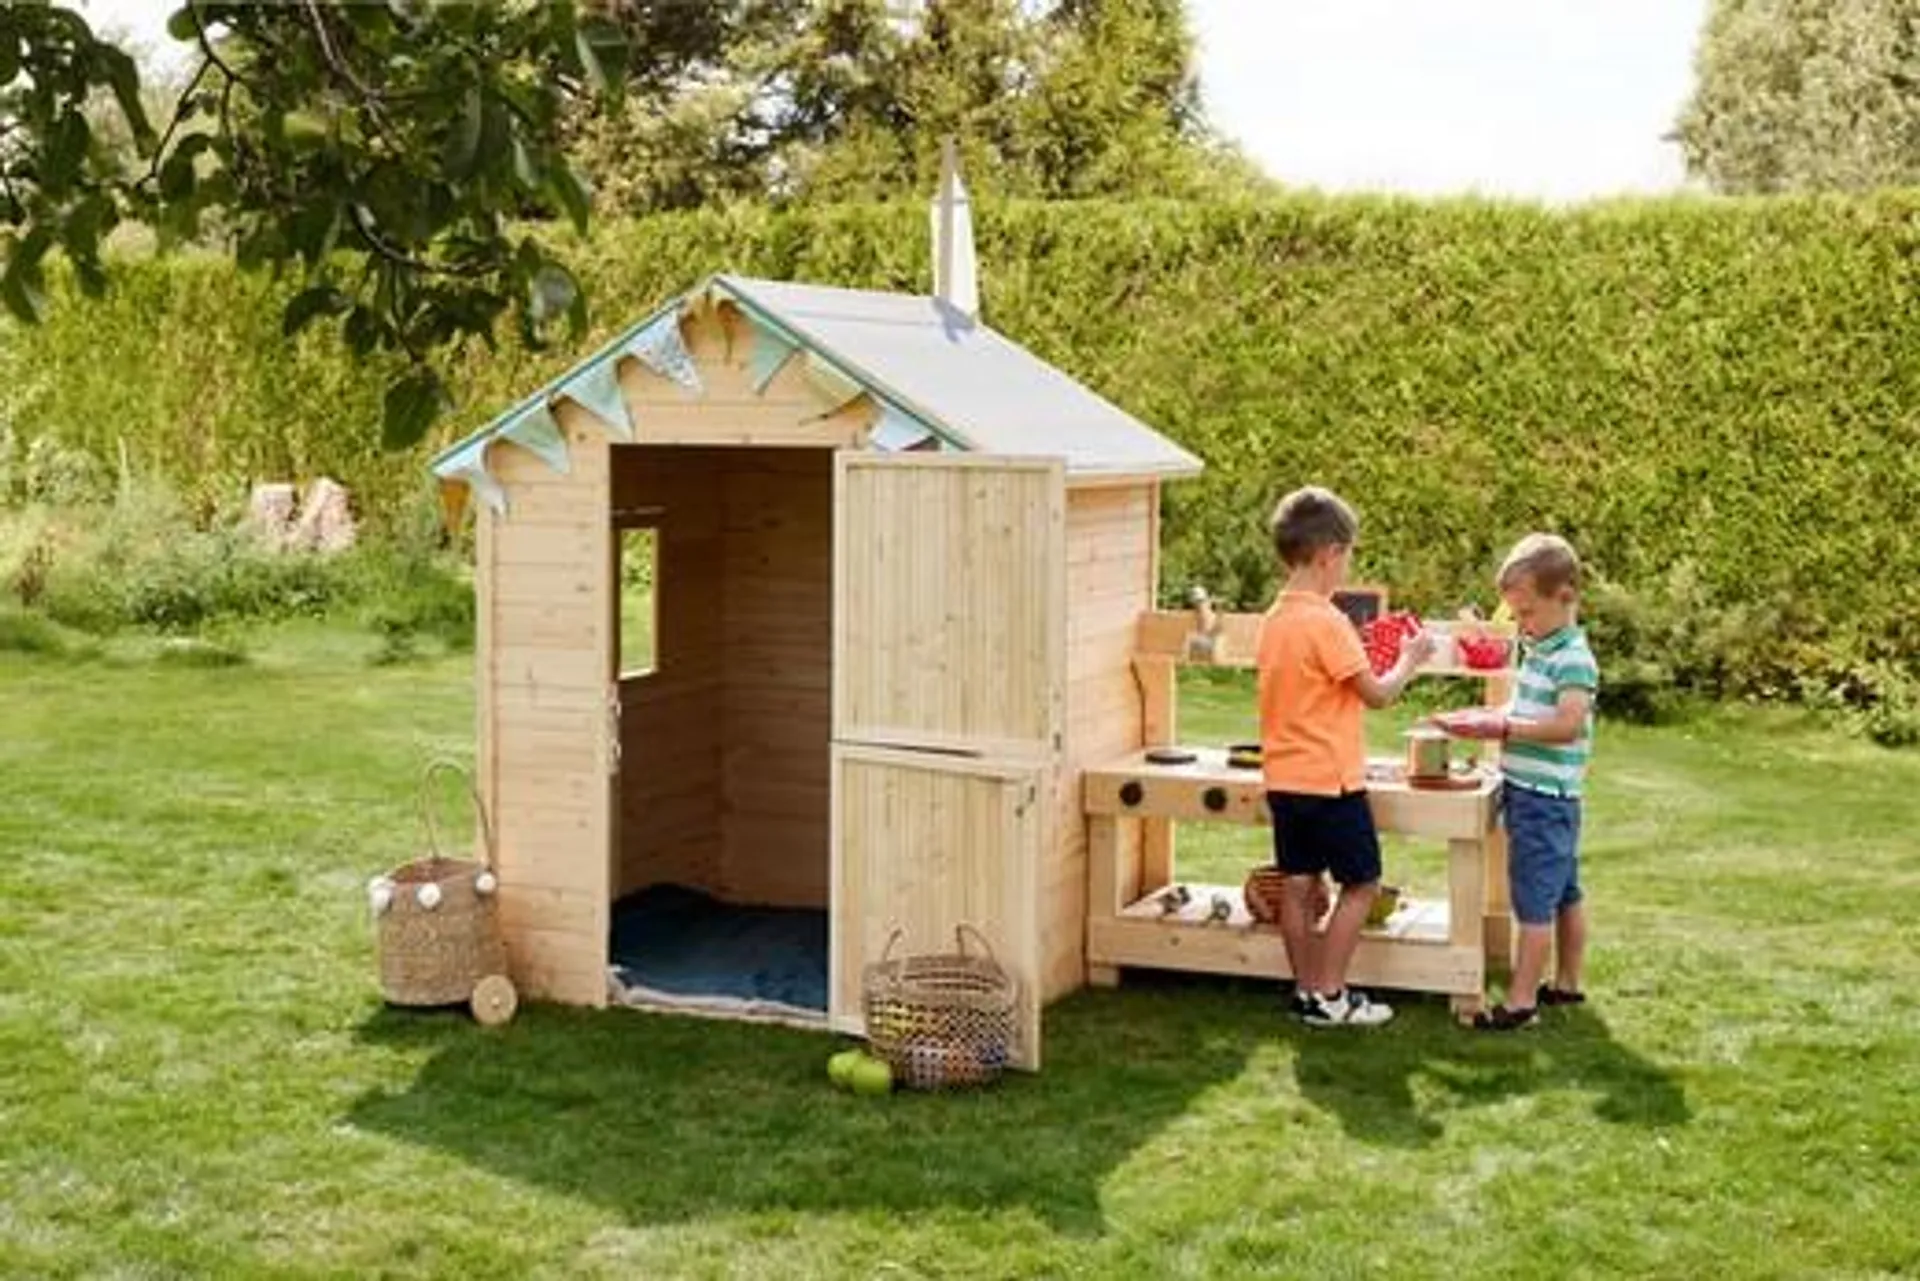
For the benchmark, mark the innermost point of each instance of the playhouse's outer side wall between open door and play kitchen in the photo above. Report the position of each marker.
(1111, 581)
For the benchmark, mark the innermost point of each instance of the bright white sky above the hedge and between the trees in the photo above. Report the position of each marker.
(1535, 99)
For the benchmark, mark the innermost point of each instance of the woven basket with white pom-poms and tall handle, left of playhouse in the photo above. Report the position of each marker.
(435, 952)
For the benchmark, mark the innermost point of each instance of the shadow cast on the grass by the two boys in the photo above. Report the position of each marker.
(1370, 1078)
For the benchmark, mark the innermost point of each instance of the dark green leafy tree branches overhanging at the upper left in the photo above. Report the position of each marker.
(381, 151)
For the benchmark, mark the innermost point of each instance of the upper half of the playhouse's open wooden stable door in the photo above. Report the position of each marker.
(951, 614)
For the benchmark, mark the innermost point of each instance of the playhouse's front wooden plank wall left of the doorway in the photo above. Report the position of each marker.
(542, 689)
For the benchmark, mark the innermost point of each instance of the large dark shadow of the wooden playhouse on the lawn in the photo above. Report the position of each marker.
(667, 1119)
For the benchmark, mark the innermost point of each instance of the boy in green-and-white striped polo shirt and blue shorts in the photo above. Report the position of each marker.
(1548, 735)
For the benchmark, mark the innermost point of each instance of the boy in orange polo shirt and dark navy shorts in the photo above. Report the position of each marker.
(1314, 687)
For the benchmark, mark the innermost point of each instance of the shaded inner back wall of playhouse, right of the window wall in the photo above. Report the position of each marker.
(777, 694)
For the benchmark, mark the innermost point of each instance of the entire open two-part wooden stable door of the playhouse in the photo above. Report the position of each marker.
(949, 664)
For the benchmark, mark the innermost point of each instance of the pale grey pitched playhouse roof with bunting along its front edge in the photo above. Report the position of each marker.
(924, 362)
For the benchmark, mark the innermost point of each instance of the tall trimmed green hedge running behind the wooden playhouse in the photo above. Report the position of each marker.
(1719, 402)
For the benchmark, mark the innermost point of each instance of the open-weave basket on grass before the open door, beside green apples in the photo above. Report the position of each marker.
(942, 1021)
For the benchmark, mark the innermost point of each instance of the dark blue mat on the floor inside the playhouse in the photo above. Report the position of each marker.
(677, 946)
